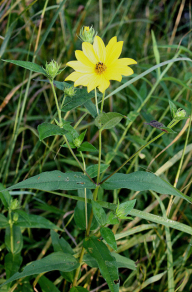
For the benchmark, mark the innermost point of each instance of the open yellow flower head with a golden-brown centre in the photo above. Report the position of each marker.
(97, 64)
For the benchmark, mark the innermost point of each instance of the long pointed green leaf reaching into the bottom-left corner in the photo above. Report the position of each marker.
(55, 261)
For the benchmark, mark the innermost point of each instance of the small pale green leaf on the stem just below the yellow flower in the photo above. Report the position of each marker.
(108, 120)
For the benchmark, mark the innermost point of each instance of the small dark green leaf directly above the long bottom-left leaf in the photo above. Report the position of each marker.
(60, 244)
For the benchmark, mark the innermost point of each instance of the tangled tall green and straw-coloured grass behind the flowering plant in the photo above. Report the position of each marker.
(153, 32)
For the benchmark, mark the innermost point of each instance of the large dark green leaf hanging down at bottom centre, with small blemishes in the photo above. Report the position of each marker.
(107, 263)
